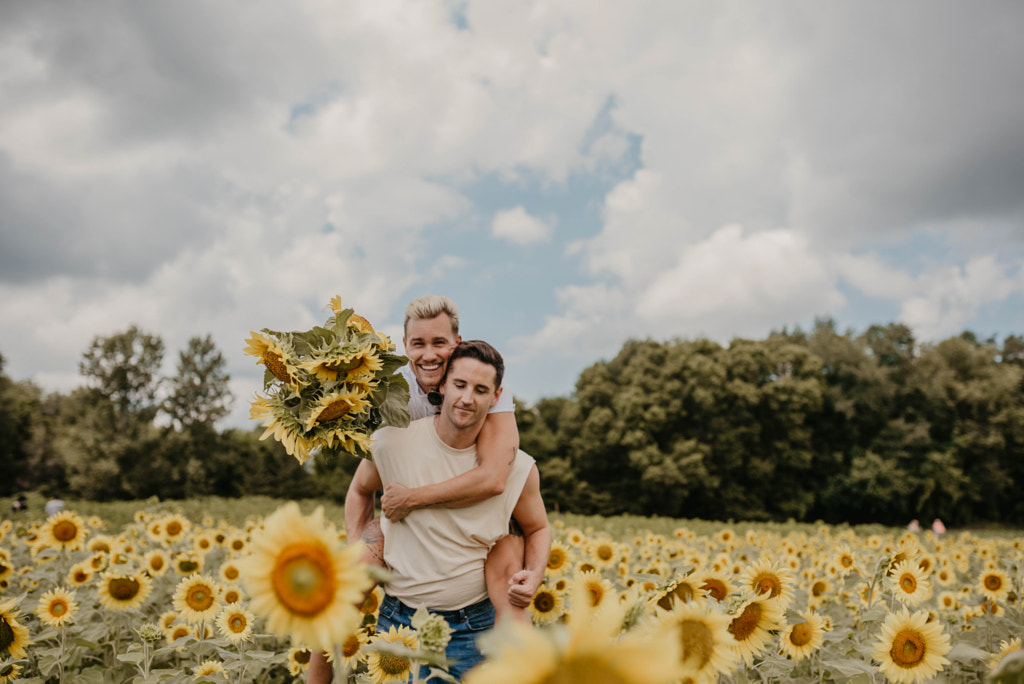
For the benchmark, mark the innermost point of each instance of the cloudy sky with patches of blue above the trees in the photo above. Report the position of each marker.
(572, 174)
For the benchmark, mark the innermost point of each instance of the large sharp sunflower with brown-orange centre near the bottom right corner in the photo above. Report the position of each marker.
(911, 650)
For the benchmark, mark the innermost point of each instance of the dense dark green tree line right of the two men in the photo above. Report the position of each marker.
(817, 425)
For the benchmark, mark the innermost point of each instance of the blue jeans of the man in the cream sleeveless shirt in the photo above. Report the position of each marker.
(467, 624)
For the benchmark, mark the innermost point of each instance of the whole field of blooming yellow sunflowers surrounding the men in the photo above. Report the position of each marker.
(174, 598)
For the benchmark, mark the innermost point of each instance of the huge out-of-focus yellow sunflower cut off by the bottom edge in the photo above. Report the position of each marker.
(589, 650)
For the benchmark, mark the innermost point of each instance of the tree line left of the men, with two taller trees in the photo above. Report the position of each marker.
(133, 434)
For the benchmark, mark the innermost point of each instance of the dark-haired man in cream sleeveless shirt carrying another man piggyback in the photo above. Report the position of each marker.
(437, 555)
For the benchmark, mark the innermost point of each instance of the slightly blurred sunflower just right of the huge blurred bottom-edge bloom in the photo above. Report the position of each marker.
(705, 639)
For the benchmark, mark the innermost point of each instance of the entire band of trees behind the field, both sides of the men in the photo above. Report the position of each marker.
(820, 425)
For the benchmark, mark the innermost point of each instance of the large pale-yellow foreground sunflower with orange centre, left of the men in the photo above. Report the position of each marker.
(303, 581)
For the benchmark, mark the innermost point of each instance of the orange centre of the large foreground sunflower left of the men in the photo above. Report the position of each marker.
(304, 579)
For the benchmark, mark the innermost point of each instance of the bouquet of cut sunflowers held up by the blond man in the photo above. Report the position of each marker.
(327, 390)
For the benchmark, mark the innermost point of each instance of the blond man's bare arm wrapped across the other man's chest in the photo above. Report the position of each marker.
(496, 450)
